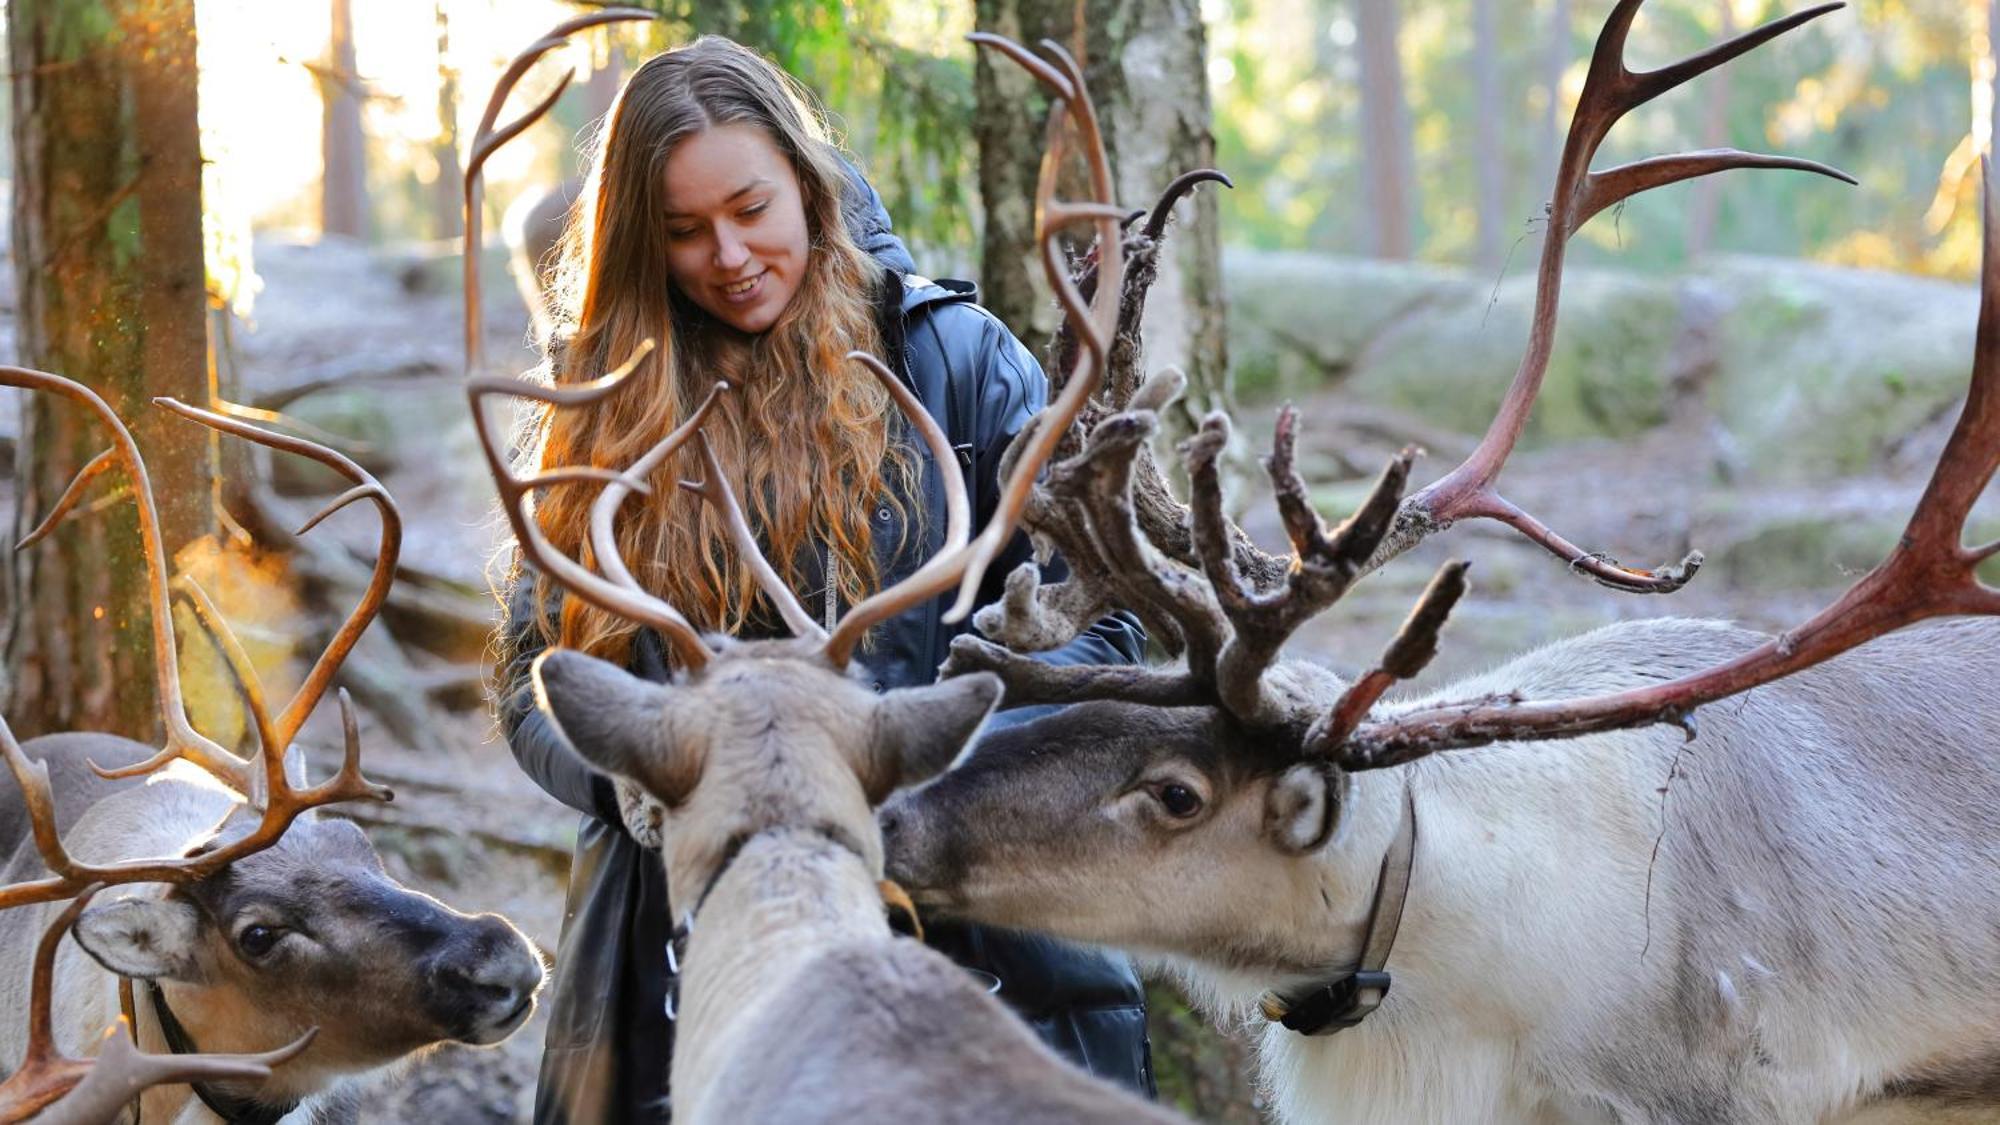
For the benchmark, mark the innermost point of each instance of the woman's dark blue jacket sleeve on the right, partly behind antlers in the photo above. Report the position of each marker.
(1013, 391)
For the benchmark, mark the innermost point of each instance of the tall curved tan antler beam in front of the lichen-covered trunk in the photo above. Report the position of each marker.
(1097, 319)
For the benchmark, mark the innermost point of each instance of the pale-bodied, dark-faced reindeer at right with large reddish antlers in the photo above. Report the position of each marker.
(1585, 914)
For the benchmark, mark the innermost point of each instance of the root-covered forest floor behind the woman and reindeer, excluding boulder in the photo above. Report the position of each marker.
(385, 331)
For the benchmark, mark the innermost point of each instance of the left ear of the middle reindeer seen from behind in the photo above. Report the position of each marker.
(615, 722)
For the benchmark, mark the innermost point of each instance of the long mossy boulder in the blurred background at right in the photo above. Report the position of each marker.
(1807, 371)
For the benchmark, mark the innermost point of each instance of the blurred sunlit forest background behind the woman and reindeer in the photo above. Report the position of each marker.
(1759, 365)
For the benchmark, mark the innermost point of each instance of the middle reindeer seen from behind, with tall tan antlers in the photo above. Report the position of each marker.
(795, 998)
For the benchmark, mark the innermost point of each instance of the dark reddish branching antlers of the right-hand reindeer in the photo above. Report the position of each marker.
(1931, 574)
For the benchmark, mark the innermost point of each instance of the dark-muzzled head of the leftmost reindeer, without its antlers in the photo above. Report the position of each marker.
(313, 934)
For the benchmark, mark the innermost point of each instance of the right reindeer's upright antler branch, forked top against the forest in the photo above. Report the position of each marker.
(1611, 93)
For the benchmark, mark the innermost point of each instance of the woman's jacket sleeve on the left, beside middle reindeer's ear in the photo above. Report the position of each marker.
(541, 750)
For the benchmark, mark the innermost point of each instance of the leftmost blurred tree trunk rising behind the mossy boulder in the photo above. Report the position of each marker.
(1387, 147)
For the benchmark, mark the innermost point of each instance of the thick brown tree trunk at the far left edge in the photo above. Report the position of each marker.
(109, 269)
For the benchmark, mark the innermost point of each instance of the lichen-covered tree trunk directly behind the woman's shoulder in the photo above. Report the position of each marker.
(1149, 77)
